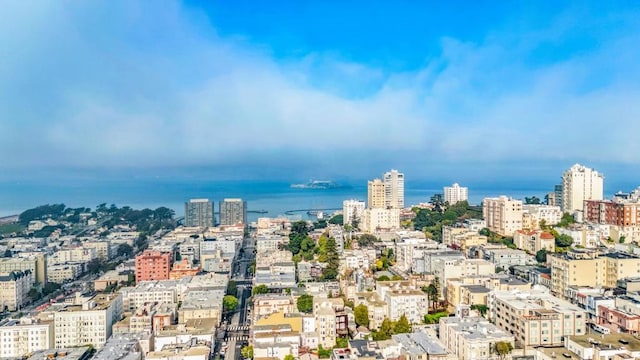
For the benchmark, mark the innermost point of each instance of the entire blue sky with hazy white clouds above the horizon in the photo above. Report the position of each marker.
(455, 90)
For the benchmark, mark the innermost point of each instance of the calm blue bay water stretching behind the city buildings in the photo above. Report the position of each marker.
(275, 197)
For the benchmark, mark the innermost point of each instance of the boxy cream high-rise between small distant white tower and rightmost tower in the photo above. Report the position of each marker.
(502, 214)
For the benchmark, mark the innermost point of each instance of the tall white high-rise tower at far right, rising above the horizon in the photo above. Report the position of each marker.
(580, 183)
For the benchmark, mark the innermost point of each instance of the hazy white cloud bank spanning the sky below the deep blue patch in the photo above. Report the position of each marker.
(138, 85)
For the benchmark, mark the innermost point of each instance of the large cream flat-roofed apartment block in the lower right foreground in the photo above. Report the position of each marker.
(535, 317)
